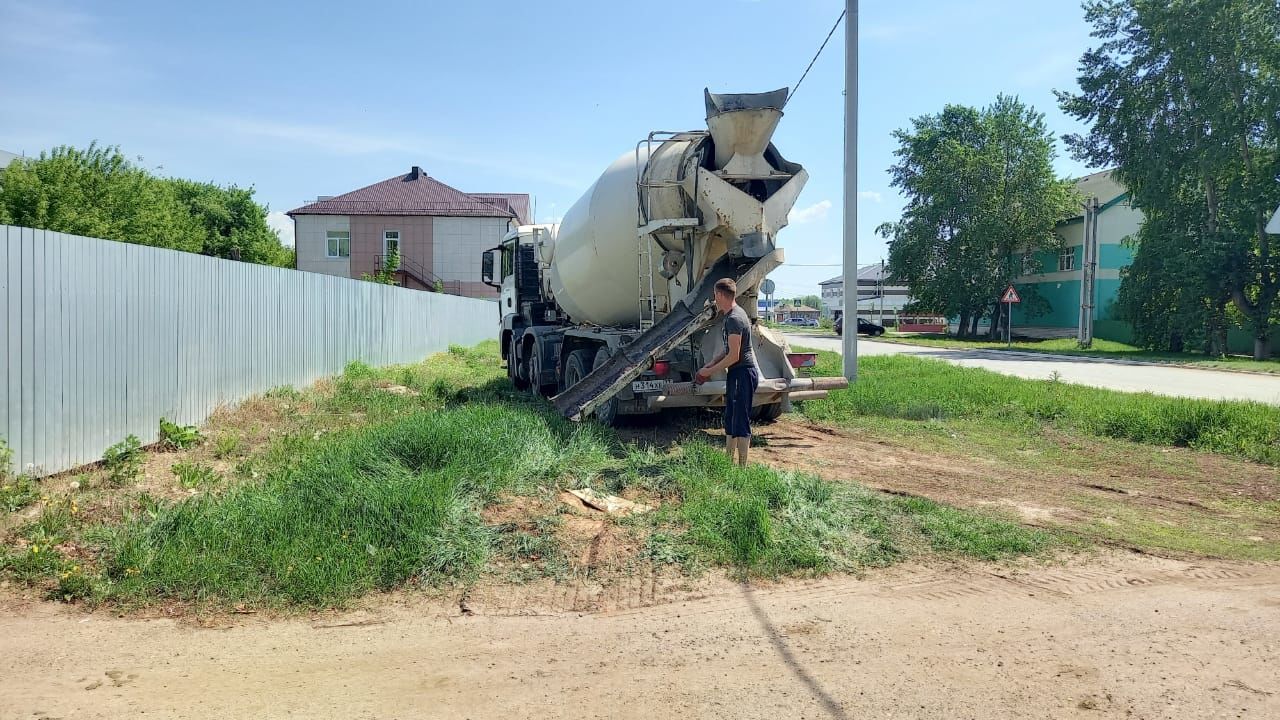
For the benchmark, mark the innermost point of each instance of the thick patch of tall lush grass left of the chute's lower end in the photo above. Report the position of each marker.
(369, 511)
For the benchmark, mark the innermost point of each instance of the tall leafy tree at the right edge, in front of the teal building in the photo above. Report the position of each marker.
(1183, 97)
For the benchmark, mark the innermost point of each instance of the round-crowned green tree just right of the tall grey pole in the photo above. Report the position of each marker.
(981, 198)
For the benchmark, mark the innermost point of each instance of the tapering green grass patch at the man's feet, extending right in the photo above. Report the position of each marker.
(764, 522)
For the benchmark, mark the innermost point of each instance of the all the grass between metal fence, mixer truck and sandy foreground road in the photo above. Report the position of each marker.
(392, 494)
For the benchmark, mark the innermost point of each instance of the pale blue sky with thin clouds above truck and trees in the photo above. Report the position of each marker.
(322, 98)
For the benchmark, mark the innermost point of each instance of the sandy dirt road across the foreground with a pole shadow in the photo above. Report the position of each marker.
(1116, 637)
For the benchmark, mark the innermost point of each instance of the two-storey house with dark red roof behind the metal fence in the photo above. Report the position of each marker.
(438, 233)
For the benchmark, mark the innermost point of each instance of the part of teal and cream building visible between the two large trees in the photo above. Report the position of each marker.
(1052, 290)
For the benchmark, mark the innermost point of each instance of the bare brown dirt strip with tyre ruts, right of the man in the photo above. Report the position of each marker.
(1172, 500)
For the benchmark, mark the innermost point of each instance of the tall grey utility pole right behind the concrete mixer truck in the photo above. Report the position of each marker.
(851, 332)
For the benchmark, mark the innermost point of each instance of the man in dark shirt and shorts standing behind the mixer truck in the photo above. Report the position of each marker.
(743, 379)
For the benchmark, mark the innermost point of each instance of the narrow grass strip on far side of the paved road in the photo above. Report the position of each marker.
(1101, 349)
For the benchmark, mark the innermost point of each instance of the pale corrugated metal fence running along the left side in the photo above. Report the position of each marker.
(104, 339)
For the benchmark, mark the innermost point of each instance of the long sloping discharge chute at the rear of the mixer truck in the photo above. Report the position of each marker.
(692, 315)
